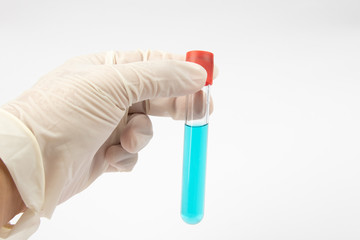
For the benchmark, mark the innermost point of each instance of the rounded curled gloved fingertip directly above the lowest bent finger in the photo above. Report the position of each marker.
(137, 133)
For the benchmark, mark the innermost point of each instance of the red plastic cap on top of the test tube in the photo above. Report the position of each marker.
(205, 59)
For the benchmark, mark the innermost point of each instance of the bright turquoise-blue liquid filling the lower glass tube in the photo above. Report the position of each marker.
(194, 168)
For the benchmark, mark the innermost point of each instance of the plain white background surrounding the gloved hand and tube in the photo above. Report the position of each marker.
(284, 143)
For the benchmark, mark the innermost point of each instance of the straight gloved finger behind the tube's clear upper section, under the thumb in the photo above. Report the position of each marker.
(171, 107)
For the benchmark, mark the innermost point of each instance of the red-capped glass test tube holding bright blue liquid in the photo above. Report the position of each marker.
(195, 143)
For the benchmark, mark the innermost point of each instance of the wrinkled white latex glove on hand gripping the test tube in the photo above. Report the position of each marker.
(87, 117)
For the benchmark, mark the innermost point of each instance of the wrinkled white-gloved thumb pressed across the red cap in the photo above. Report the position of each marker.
(138, 81)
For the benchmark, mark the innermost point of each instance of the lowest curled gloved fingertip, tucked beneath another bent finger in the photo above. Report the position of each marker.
(119, 159)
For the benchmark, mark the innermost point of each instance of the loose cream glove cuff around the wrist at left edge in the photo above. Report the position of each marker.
(21, 154)
